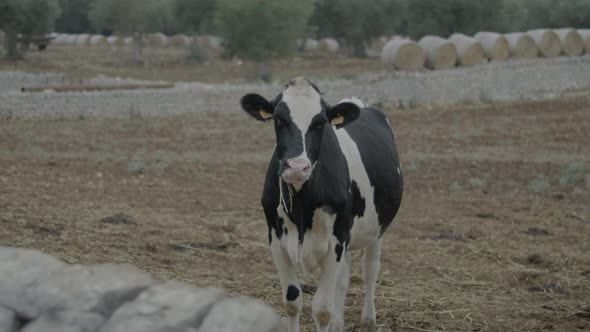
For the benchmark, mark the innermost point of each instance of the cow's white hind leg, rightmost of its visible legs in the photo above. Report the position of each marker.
(371, 267)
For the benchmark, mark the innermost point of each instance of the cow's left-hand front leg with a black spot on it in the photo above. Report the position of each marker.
(292, 296)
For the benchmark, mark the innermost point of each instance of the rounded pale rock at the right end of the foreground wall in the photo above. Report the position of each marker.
(248, 315)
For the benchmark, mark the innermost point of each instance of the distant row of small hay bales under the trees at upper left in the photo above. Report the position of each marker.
(154, 40)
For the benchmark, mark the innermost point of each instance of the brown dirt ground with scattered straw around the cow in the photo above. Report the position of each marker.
(493, 233)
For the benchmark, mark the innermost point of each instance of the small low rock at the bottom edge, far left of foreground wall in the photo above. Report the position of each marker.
(65, 321)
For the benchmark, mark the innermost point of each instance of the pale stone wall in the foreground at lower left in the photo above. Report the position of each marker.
(39, 293)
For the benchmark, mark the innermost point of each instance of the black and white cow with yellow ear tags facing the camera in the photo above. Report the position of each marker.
(333, 185)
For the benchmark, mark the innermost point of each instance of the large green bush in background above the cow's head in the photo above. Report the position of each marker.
(262, 29)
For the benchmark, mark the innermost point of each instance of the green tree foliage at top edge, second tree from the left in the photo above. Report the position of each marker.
(132, 16)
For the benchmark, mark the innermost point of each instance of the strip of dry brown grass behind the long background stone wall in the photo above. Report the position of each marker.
(172, 65)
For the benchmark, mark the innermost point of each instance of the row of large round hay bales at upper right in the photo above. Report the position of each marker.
(461, 50)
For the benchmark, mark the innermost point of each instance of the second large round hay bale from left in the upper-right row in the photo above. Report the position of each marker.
(440, 53)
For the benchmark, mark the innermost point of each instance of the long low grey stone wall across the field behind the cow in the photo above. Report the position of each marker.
(514, 80)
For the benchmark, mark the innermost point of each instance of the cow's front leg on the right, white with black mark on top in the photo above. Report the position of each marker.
(323, 301)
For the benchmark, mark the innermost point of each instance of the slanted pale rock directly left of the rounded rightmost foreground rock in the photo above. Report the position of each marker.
(163, 307)
